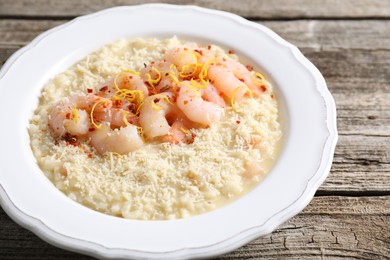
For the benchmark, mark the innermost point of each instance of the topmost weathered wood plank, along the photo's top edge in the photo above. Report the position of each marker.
(263, 9)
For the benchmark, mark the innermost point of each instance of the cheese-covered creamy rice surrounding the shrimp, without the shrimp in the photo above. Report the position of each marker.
(159, 180)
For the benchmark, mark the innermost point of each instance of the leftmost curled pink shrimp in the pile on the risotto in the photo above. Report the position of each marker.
(73, 116)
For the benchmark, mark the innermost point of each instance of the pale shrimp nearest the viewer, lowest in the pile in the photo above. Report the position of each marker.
(122, 140)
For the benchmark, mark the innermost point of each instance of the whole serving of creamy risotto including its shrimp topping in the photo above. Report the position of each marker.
(223, 153)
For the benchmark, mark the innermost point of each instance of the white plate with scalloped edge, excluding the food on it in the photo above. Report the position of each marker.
(308, 118)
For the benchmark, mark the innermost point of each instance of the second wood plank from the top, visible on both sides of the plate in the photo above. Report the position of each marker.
(314, 34)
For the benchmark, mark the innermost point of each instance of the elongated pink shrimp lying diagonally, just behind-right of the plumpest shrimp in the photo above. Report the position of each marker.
(225, 81)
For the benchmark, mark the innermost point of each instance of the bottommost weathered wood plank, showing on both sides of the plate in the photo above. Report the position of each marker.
(352, 227)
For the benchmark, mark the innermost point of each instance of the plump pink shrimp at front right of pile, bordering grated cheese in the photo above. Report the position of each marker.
(195, 108)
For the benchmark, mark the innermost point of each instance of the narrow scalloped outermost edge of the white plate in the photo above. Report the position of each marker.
(97, 250)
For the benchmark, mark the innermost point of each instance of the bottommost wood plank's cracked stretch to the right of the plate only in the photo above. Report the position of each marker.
(330, 227)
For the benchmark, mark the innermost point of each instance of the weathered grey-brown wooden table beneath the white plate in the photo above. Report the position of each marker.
(349, 41)
